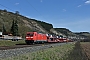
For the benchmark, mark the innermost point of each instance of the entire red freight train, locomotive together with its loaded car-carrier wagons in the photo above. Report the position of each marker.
(34, 37)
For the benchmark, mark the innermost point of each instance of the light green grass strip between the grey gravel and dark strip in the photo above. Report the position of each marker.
(53, 53)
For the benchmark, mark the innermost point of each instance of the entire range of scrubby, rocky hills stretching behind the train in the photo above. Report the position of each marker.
(27, 25)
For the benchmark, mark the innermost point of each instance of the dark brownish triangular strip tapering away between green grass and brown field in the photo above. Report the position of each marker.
(77, 53)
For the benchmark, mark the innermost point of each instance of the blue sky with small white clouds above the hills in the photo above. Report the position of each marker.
(70, 14)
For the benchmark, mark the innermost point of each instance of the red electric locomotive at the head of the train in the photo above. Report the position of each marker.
(34, 37)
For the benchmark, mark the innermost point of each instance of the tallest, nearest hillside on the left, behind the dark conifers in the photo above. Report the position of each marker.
(24, 24)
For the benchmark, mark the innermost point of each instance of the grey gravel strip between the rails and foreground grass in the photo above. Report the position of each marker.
(18, 51)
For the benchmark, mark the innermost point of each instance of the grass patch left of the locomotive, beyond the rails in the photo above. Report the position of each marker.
(11, 43)
